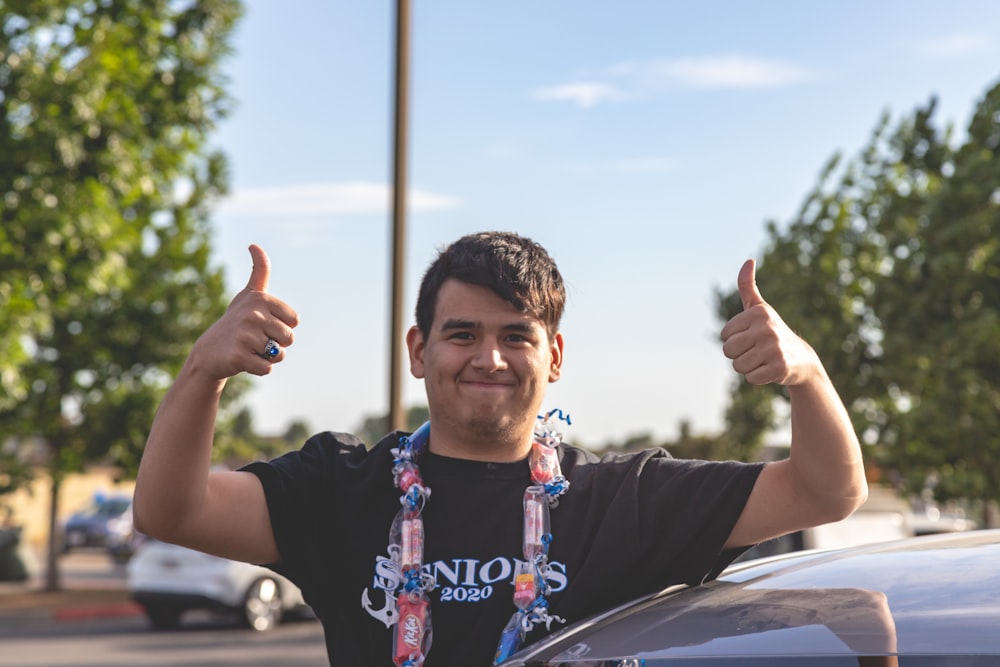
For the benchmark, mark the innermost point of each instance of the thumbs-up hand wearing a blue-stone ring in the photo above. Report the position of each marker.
(238, 341)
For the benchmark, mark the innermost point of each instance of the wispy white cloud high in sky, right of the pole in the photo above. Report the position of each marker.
(633, 80)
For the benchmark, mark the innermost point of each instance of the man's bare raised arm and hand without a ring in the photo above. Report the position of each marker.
(823, 479)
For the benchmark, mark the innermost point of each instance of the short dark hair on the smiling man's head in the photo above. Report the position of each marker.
(514, 267)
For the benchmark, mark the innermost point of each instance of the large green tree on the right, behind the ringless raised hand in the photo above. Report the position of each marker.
(892, 273)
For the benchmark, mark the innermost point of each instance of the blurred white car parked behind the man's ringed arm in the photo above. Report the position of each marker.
(168, 580)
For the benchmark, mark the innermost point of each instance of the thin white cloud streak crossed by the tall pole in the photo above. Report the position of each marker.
(328, 198)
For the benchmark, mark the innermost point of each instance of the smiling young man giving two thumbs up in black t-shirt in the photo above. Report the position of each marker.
(484, 558)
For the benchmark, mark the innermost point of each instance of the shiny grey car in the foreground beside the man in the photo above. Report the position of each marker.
(928, 601)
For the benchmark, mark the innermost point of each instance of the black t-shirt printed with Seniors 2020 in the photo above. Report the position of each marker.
(628, 525)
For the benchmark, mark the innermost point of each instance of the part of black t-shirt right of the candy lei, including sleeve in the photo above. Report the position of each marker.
(662, 520)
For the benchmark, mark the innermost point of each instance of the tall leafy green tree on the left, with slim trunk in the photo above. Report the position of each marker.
(106, 183)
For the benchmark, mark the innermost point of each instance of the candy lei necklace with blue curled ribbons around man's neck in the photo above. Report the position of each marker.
(412, 633)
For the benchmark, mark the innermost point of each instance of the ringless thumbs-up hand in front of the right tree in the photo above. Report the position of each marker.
(763, 348)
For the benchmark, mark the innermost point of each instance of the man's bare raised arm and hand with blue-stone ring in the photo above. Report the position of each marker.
(178, 499)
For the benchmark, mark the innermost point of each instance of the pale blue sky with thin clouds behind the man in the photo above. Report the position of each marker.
(644, 143)
